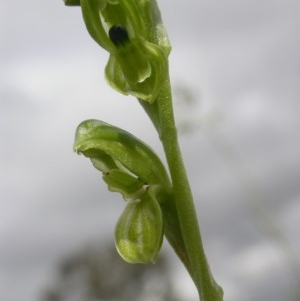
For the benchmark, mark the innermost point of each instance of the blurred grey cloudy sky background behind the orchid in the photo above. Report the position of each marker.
(235, 69)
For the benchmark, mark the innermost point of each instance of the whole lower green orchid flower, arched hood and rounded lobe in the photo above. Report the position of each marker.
(131, 168)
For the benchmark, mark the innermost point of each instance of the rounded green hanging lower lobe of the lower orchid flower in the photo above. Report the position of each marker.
(139, 231)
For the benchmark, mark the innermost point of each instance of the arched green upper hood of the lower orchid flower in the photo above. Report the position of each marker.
(128, 164)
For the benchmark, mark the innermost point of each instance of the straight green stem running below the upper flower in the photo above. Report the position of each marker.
(208, 289)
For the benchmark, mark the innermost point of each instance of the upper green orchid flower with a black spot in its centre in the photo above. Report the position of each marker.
(138, 53)
